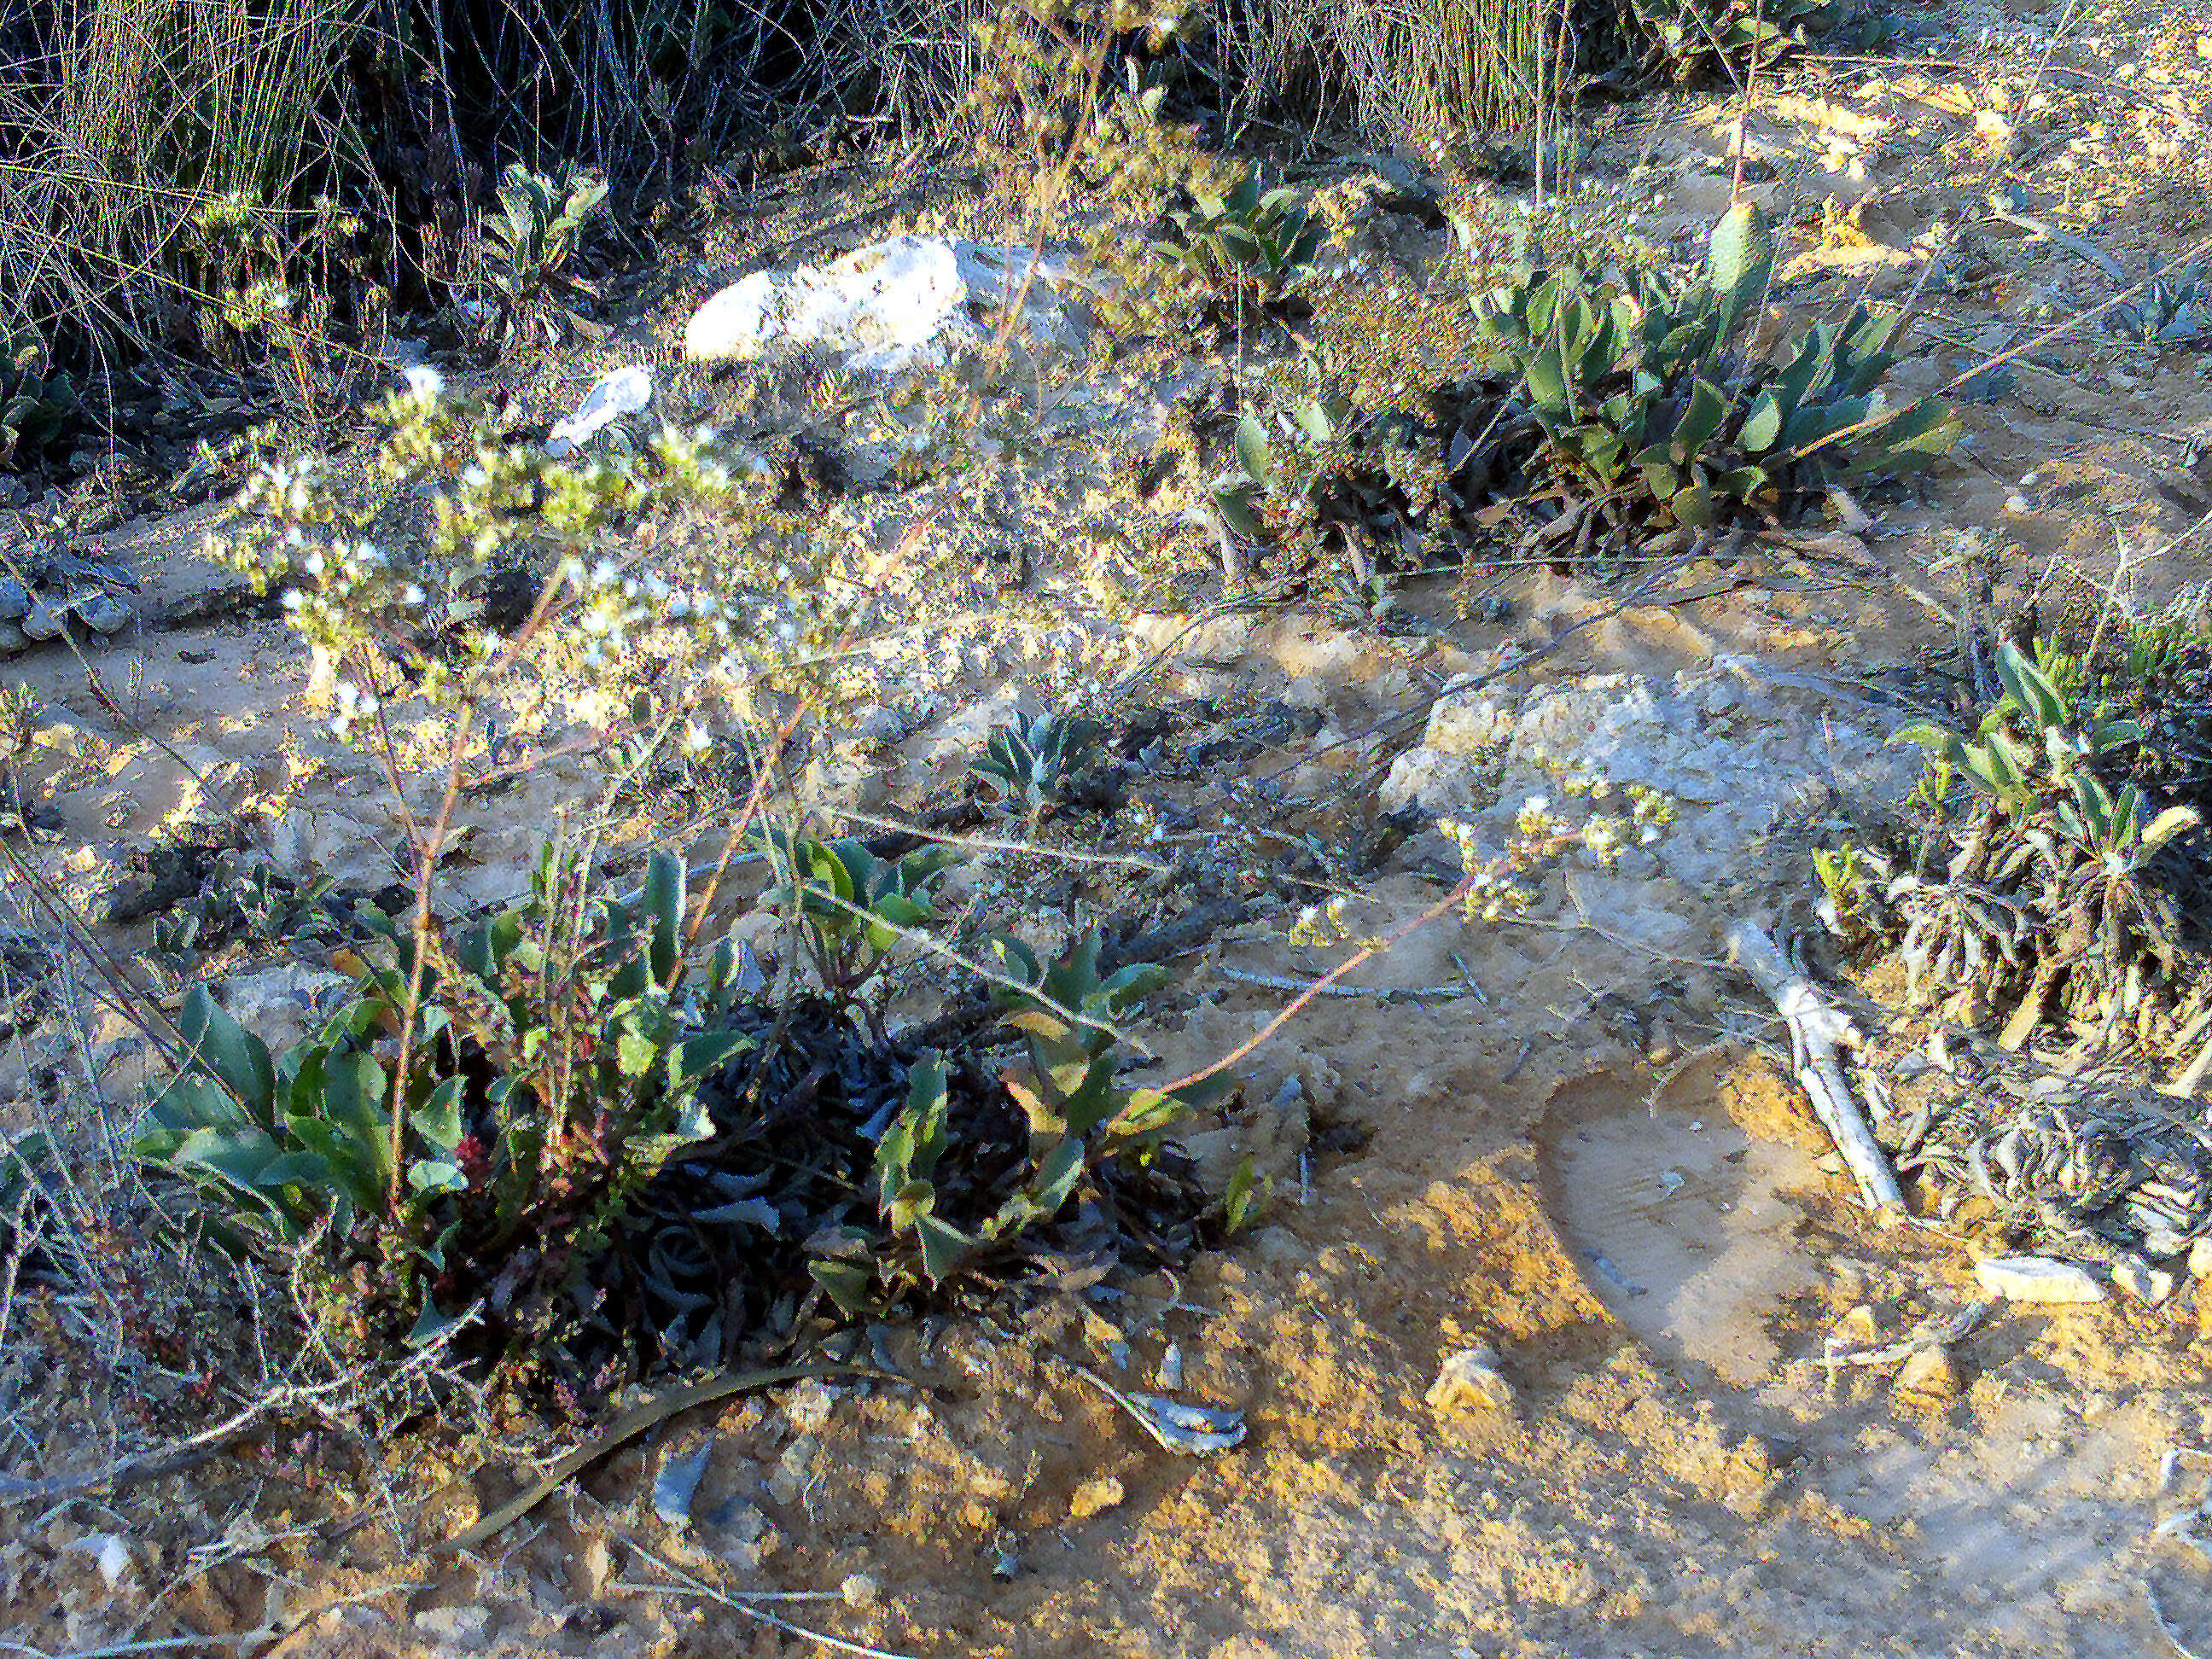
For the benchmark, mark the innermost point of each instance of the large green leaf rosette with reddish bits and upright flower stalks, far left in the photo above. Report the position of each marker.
(554, 1065)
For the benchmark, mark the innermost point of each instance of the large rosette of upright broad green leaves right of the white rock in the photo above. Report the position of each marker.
(1647, 404)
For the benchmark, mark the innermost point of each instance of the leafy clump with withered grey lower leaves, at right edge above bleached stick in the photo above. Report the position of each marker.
(2054, 890)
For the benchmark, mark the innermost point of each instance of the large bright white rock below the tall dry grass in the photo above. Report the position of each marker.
(893, 306)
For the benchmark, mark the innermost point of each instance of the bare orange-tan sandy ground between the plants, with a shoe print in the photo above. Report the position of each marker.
(1589, 1160)
